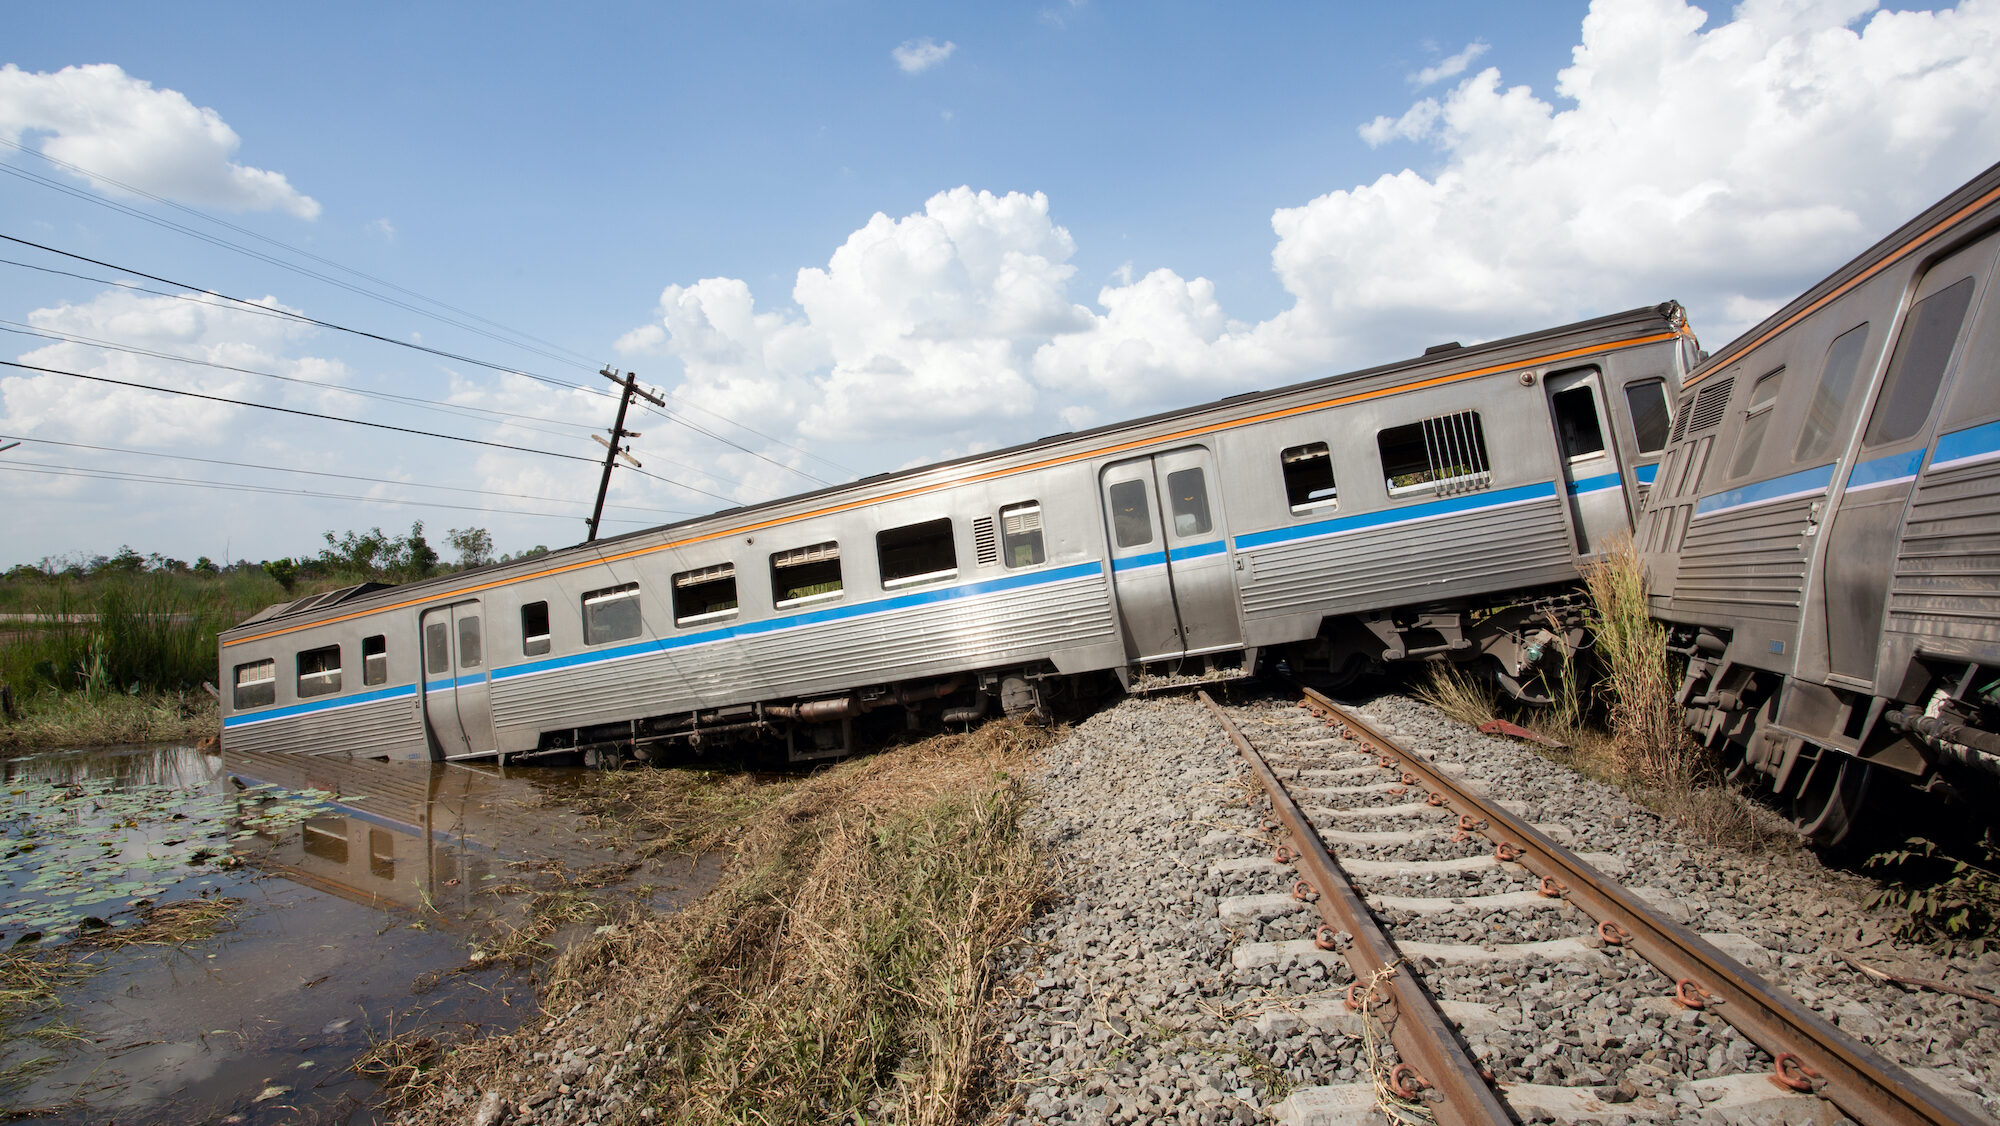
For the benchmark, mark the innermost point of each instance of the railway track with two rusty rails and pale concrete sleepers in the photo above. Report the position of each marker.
(1343, 799)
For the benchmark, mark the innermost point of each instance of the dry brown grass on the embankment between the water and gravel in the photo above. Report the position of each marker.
(841, 969)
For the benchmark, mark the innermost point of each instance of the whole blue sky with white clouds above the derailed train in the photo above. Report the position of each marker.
(1161, 205)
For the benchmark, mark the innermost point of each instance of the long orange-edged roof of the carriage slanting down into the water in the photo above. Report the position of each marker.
(1441, 361)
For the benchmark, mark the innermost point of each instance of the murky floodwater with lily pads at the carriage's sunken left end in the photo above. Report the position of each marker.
(371, 895)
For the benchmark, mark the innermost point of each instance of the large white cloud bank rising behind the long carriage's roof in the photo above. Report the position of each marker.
(1725, 165)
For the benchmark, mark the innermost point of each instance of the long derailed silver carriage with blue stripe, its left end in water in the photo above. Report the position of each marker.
(1347, 521)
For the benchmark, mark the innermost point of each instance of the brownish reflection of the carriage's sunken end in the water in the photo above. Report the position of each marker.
(405, 835)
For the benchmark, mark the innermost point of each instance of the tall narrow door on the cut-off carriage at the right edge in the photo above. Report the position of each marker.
(1859, 555)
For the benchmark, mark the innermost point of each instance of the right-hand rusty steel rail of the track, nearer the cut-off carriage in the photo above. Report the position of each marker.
(1855, 1079)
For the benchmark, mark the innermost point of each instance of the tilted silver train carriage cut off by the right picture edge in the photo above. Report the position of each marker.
(1825, 533)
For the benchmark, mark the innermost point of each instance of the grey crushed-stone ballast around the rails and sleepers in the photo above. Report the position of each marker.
(1127, 1005)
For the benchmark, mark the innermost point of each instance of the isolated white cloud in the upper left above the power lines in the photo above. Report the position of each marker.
(123, 129)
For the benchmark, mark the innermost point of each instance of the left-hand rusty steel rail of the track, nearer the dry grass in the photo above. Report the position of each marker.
(1411, 1015)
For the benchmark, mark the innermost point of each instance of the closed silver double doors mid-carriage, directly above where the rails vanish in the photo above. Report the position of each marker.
(1171, 563)
